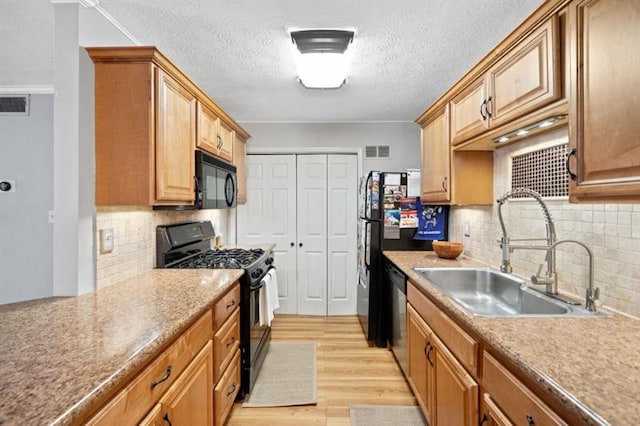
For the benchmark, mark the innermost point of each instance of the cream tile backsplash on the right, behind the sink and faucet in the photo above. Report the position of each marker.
(611, 231)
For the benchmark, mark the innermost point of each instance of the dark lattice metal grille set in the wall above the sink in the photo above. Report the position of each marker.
(543, 170)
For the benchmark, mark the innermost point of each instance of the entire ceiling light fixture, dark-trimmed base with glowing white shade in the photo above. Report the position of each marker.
(322, 58)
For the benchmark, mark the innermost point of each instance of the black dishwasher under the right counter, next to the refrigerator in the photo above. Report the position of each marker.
(397, 284)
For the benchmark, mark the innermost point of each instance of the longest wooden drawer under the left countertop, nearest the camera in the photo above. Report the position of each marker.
(135, 400)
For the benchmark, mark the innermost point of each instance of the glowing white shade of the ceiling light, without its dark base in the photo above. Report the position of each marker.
(323, 70)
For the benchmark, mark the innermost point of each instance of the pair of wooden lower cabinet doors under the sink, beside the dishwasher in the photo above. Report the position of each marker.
(446, 392)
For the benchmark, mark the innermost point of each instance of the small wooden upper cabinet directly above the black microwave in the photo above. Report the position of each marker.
(214, 136)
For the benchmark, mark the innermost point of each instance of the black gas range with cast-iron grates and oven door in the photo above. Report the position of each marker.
(188, 246)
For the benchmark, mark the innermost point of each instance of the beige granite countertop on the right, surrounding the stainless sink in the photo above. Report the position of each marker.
(589, 365)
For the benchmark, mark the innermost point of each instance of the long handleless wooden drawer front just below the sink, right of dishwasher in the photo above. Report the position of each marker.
(463, 346)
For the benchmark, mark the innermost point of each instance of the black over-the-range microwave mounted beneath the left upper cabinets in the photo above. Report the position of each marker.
(215, 183)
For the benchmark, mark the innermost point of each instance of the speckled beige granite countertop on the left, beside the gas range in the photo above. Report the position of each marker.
(58, 358)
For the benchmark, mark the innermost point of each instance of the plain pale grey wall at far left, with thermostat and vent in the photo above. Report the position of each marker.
(26, 236)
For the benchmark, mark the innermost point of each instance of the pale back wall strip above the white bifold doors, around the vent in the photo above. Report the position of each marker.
(402, 138)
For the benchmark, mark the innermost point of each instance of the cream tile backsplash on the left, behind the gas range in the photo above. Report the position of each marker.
(134, 237)
